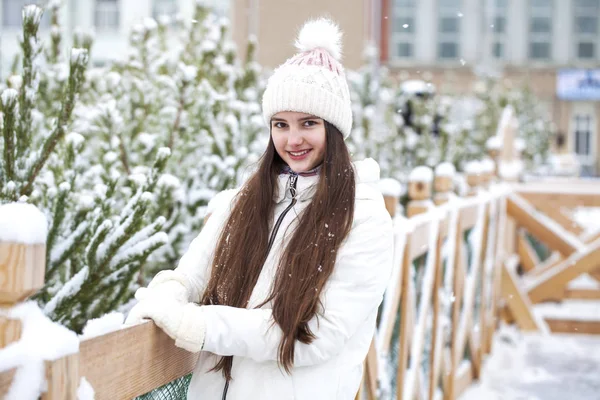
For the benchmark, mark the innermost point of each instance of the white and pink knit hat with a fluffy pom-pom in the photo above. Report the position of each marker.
(312, 81)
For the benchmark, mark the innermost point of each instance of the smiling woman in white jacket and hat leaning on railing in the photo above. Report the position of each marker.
(280, 290)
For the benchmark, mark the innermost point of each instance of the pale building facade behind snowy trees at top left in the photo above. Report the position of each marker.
(110, 20)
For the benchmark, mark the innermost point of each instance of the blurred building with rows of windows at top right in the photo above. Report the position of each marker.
(553, 46)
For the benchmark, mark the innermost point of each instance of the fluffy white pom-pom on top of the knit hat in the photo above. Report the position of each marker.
(321, 33)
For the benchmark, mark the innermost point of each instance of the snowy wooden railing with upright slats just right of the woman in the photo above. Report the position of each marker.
(445, 289)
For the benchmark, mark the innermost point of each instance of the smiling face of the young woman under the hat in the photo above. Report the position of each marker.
(299, 139)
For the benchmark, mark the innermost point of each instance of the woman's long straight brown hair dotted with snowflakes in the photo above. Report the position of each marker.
(309, 257)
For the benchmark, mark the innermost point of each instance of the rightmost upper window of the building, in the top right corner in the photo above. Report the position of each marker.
(586, 29)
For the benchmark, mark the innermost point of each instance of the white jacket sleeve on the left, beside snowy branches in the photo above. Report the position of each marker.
(193, 268)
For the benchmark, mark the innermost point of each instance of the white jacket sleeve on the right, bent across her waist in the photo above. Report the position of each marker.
(353, 294)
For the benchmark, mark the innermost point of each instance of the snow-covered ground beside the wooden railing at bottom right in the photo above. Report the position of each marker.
(536, 367)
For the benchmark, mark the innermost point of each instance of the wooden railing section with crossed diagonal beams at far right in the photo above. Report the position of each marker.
(543, 211)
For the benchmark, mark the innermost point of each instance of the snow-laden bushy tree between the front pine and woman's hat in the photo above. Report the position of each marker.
(196, 98)
